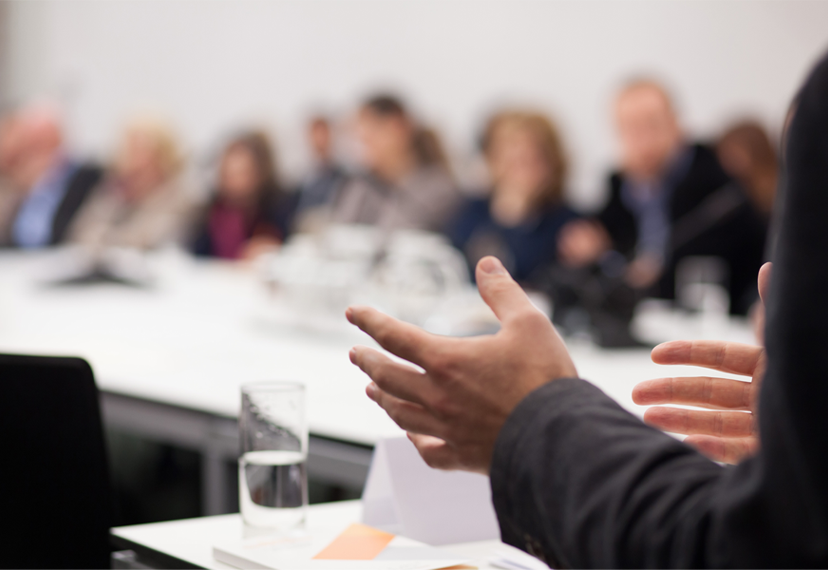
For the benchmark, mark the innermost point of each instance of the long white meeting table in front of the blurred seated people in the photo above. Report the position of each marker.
(170, 360)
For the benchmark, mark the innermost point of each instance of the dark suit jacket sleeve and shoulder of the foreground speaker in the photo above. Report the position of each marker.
(583, 484)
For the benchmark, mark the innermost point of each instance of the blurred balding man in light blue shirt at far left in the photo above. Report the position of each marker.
(53, 185)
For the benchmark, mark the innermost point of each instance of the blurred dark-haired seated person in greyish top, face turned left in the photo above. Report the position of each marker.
(406, 183)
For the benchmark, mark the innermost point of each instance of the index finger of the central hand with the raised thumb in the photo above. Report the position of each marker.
(403, 339)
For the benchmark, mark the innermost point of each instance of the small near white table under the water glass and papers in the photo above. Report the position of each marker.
(188, 543)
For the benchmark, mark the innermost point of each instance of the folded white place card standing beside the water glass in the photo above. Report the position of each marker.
(405, 496)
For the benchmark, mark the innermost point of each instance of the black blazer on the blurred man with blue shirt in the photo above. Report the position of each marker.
(709, 215)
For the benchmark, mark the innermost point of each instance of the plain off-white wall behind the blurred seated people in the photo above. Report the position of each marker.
(213, 65)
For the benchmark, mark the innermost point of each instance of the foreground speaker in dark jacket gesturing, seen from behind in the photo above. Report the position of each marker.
(581, 483)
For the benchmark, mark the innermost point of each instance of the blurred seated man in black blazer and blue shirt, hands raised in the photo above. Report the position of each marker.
(671, 199)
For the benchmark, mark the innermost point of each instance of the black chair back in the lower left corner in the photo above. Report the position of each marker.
(54, 484)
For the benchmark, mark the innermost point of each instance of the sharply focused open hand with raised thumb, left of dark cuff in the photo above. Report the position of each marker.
(455, 407)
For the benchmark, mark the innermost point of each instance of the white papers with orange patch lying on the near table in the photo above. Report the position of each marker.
(357, 546)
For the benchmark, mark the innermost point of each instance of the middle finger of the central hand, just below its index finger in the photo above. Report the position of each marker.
(396, 379)
